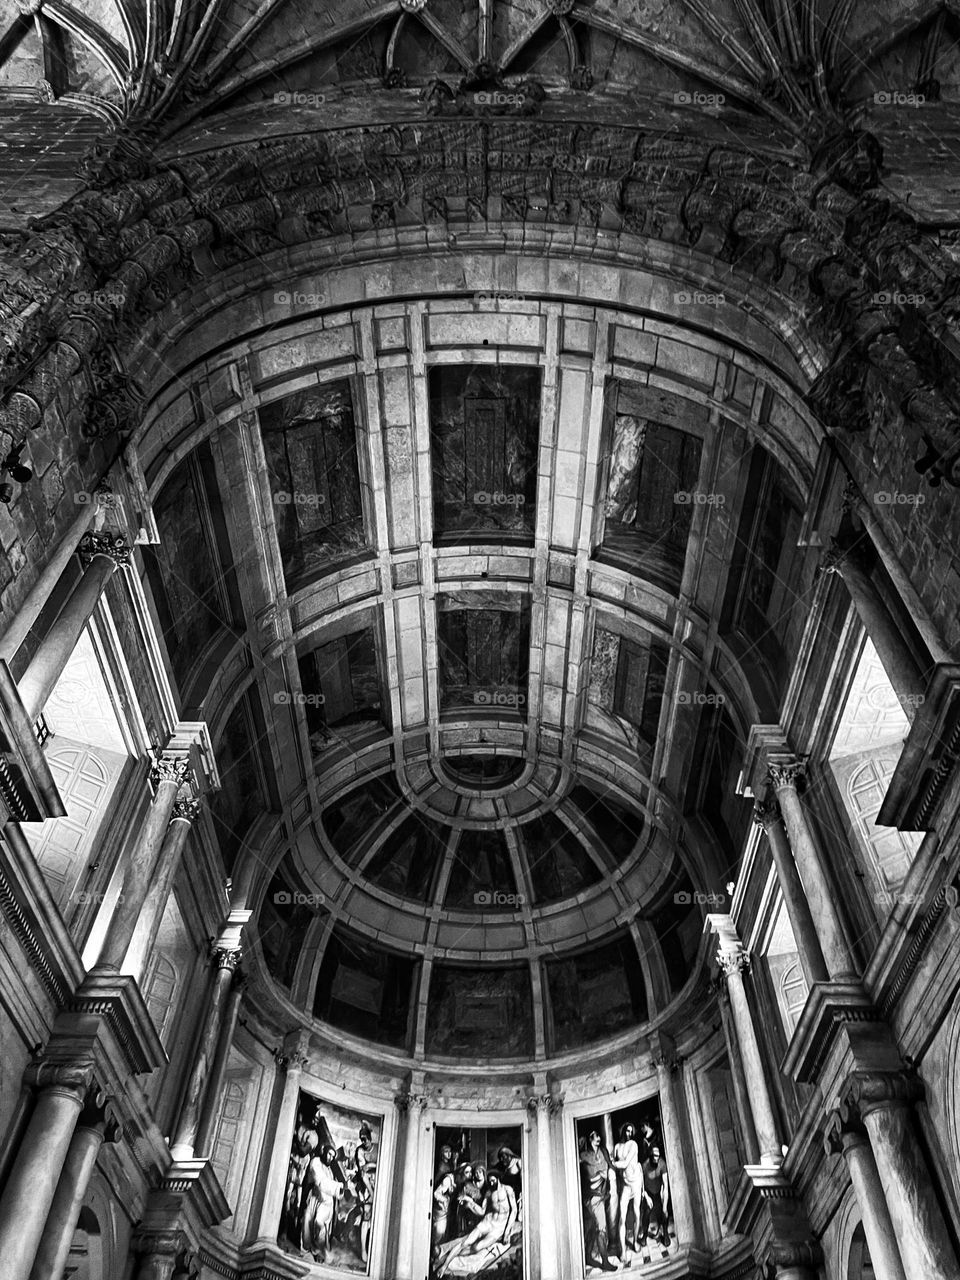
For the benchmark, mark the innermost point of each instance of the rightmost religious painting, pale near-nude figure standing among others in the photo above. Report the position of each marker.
(625, 1197)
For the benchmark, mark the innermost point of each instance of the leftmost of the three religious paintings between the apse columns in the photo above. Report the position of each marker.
(331, 1195)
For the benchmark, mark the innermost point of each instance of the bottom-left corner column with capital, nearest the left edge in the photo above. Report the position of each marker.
(34, 1180)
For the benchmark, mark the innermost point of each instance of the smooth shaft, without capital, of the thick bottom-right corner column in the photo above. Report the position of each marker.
(925, 1242)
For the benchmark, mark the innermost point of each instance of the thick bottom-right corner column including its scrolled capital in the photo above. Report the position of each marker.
(885, 1104)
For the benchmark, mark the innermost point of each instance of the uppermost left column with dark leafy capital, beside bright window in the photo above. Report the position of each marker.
(100, 556)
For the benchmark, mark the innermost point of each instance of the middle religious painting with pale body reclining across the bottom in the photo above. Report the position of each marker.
(478, 1204)
